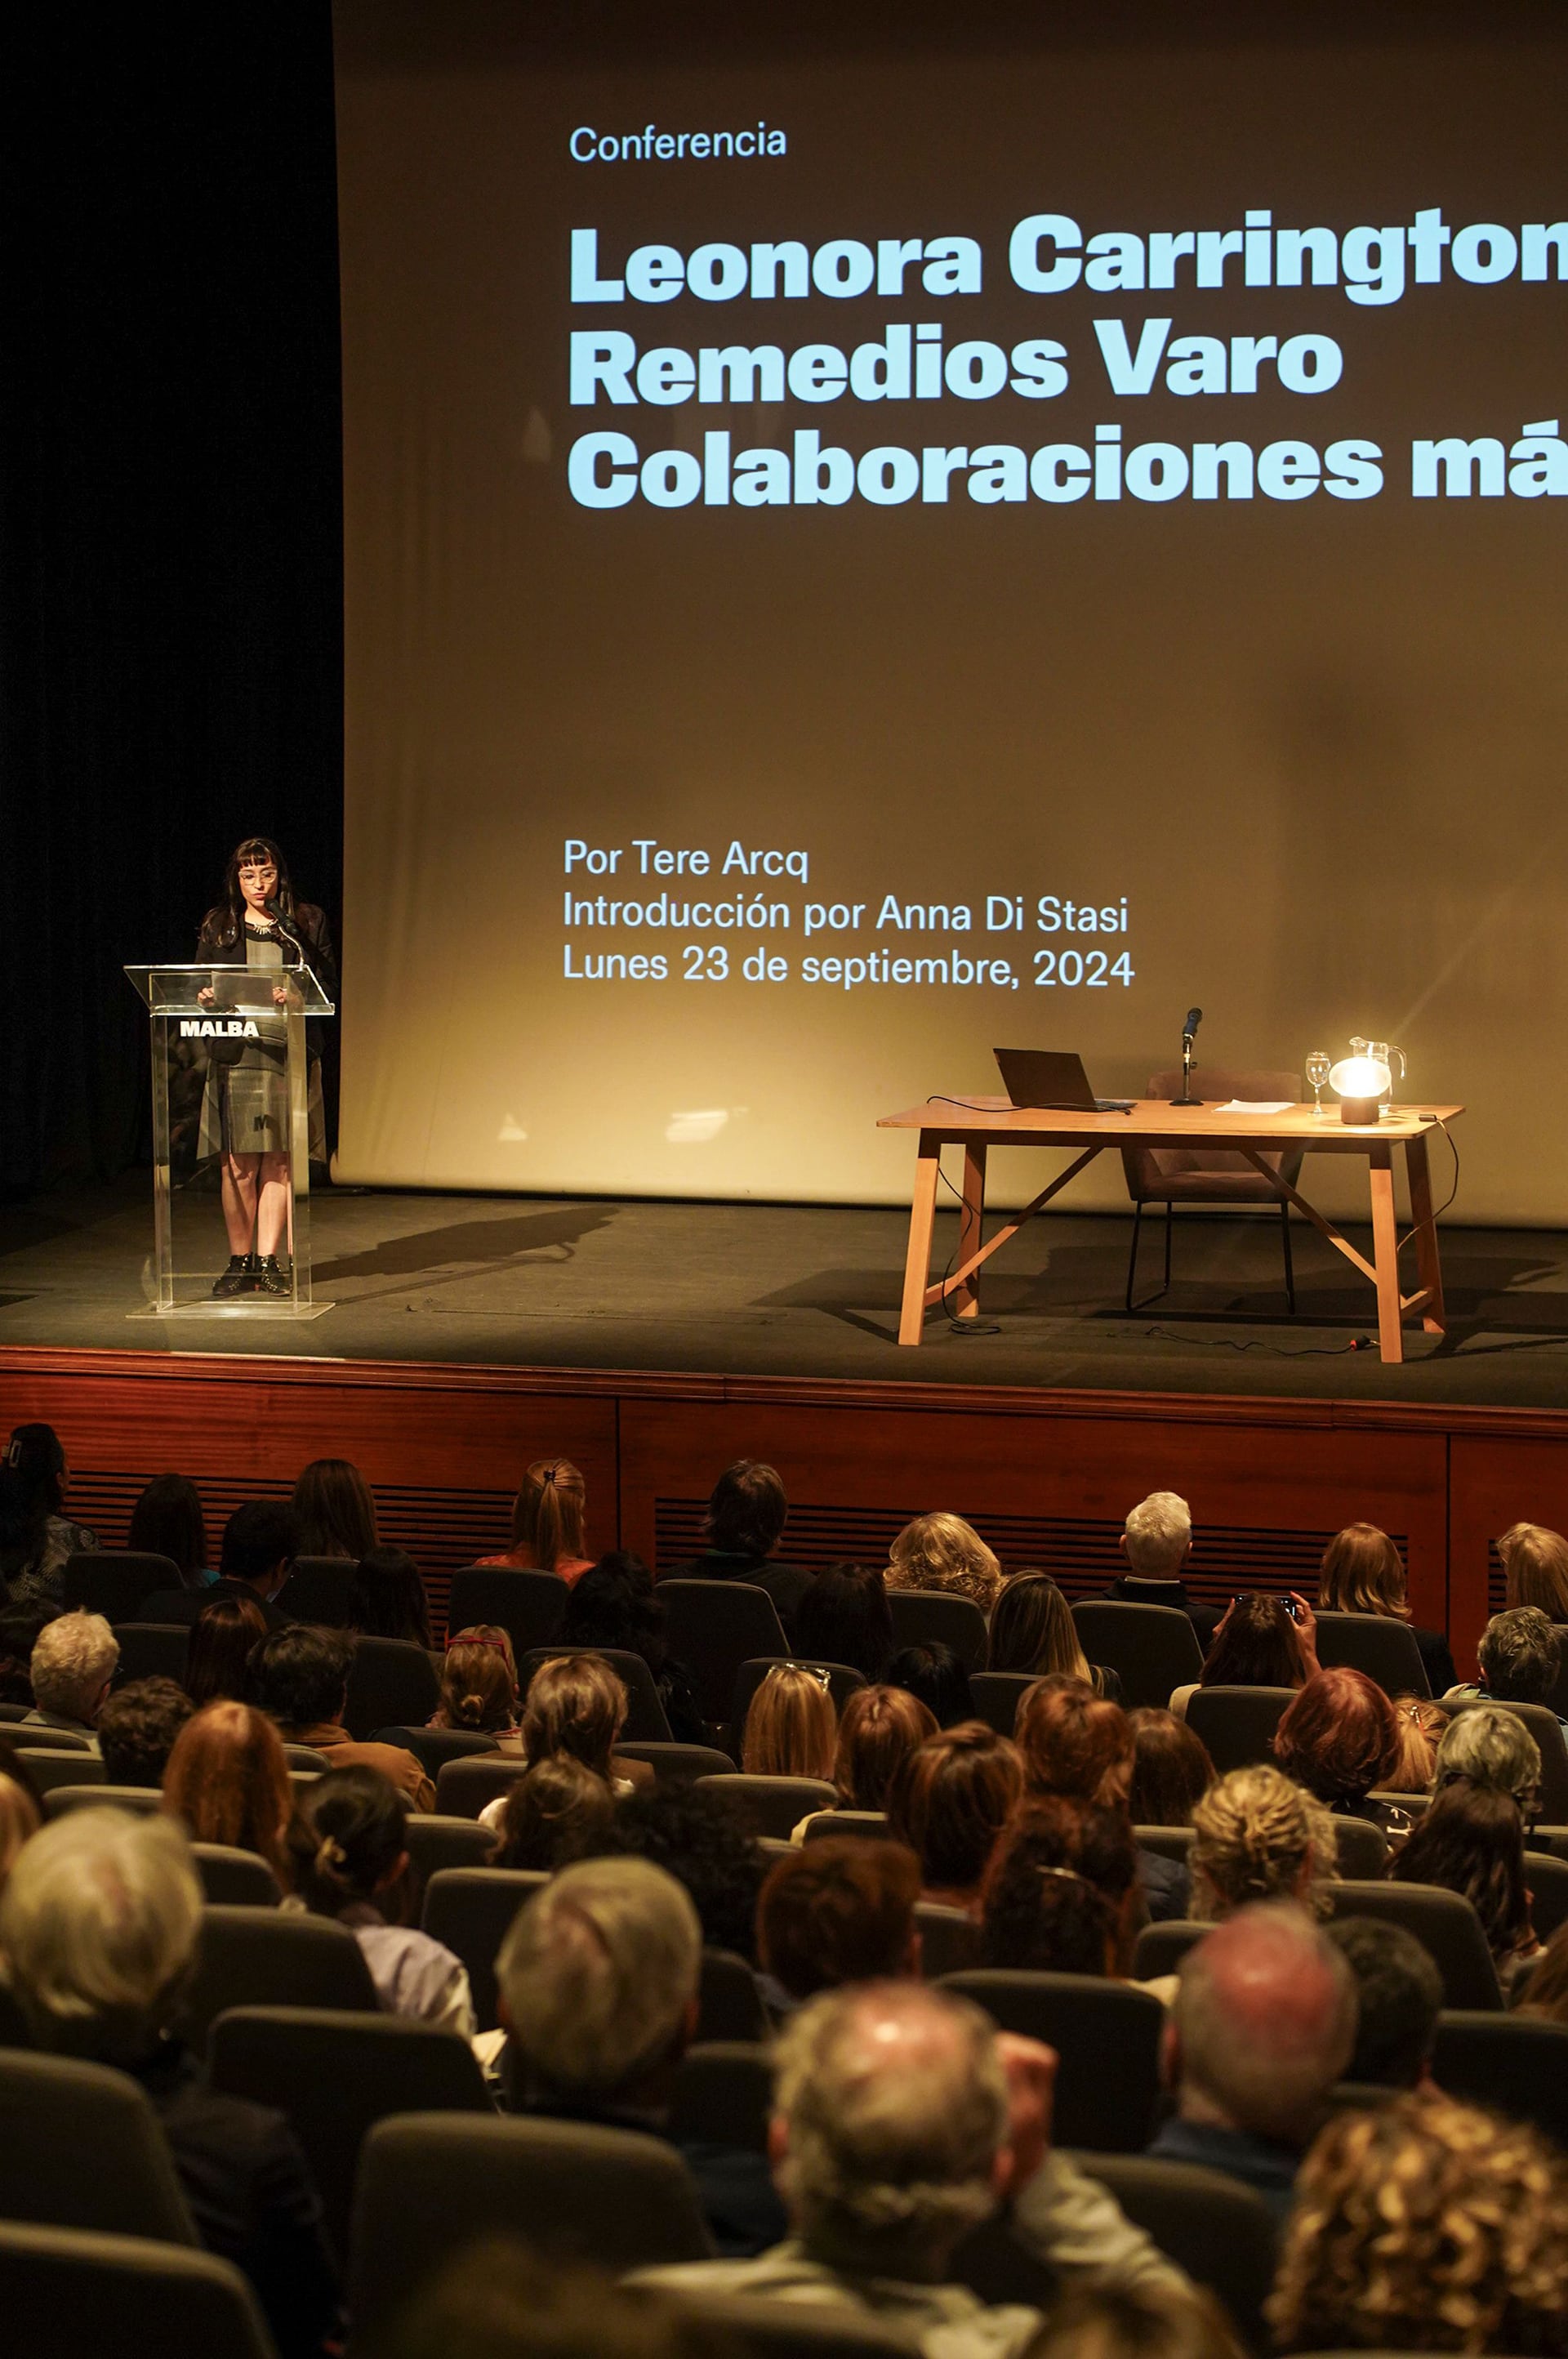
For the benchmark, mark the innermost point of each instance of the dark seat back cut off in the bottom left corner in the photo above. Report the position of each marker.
(126, 2296)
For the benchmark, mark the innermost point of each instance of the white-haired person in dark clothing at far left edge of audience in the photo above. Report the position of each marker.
(98, 1926)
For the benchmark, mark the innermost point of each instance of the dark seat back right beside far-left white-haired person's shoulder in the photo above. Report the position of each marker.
(336, 2077)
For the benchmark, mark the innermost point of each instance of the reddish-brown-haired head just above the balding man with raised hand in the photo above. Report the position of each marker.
(841, 1910)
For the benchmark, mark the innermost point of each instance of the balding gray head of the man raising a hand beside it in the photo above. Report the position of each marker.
(890, 2124)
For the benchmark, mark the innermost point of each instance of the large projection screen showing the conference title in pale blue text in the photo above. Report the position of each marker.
(871, 551)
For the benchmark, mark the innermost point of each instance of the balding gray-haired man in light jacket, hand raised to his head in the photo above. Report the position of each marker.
(902, 2120)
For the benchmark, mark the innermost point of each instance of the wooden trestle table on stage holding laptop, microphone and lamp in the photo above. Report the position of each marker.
(980, 1124)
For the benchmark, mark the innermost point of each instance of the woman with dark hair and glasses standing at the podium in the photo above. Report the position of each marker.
(244, 1117)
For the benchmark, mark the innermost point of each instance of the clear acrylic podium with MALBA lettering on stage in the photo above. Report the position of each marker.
(199, 1018)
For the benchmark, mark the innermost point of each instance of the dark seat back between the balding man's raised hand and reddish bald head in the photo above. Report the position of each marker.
(1107, 2039)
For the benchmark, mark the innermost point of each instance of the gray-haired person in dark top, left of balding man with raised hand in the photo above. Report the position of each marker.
(600, 2002)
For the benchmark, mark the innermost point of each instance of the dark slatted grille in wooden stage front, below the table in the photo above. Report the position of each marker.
(1081, 1553)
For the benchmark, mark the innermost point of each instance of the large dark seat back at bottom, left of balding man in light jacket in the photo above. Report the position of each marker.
(430, 2183)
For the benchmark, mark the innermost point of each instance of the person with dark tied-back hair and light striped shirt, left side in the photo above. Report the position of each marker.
(357, 1870)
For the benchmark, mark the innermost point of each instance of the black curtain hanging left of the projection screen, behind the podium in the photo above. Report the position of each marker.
(171, 525)
